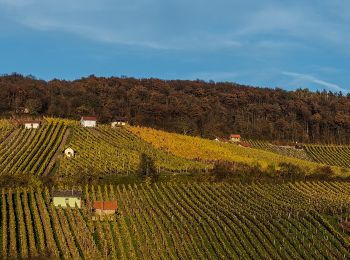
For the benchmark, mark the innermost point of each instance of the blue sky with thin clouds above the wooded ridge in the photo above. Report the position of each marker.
(288, 44)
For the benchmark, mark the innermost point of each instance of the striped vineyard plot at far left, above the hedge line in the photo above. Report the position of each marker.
(27, 151)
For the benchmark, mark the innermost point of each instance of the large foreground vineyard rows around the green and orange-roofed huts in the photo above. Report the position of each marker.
(182, 221)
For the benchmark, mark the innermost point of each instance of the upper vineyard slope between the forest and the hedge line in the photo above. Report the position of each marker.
(104, 152)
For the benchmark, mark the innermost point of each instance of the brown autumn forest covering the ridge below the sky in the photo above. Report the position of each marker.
(200, 108)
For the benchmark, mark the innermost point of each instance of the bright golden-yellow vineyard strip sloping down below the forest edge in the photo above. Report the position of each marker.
(196, 148)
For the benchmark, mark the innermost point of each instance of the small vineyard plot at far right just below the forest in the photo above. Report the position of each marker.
(330, 154)
